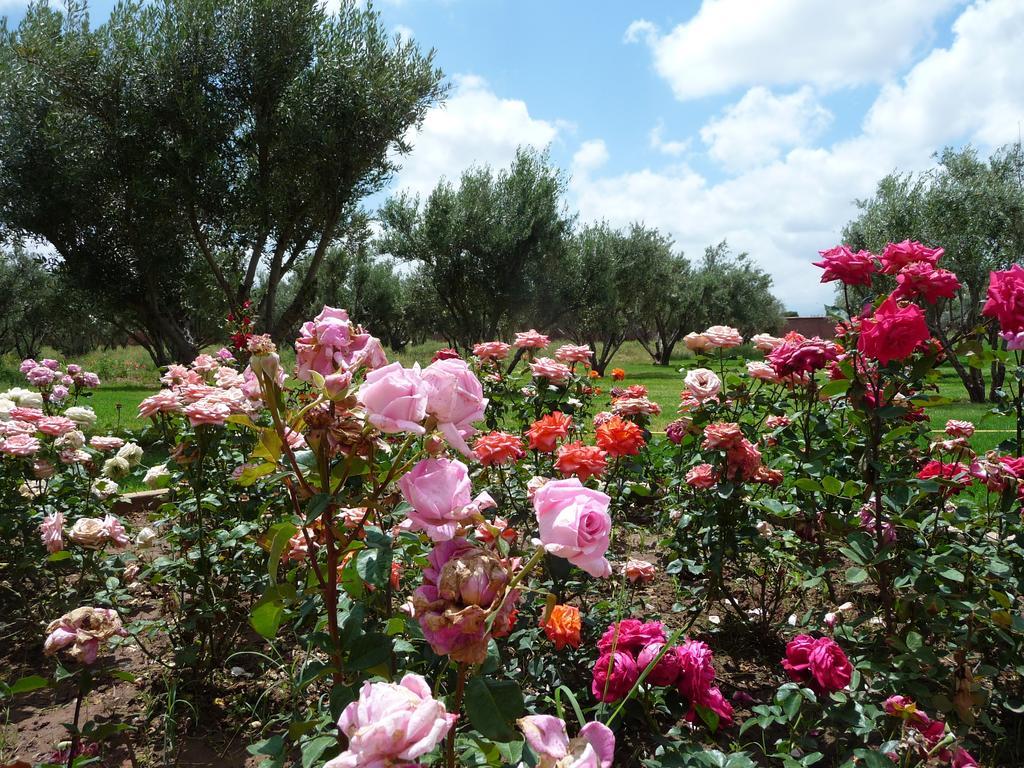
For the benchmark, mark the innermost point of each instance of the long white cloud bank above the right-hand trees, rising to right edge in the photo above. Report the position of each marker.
(785, 210)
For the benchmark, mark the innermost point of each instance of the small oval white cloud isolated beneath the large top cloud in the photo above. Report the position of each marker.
(757, 129)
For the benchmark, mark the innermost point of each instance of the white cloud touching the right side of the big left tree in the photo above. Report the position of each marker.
(474, 127)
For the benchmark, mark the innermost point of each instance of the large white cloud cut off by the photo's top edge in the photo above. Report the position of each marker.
(740, 44)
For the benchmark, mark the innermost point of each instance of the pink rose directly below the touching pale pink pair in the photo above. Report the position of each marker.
(439, 491)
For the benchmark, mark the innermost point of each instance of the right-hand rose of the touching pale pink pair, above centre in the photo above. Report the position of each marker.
(455, 398)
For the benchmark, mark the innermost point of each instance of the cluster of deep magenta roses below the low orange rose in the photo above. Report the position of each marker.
(630, 647)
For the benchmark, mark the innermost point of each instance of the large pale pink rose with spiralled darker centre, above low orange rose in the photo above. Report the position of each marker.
(575, 524)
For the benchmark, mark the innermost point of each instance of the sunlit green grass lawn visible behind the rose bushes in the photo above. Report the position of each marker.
(129, 376)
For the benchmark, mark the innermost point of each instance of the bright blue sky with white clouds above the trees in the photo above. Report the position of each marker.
(755, 121)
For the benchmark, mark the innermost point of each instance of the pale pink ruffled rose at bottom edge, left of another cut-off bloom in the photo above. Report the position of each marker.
(392, 724)
